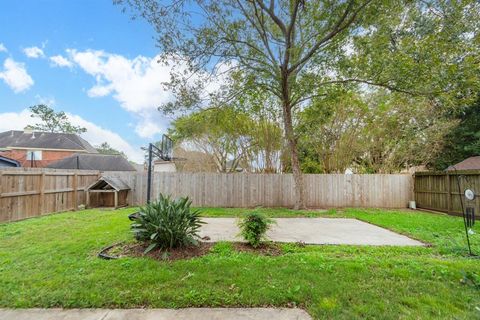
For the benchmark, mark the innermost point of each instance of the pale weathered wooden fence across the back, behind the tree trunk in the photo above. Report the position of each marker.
(277, 190)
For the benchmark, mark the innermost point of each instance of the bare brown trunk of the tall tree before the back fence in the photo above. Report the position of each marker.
(300, 201)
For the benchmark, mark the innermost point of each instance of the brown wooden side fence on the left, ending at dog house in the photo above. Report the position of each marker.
(26, 193)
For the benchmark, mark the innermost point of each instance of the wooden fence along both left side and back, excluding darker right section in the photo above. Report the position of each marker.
(28, 193)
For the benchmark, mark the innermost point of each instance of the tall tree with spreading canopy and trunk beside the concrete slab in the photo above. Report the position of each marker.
(295, 48)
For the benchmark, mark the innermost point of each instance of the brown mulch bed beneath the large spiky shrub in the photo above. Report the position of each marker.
(138, 249)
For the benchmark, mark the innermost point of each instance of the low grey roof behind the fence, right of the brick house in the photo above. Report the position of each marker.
(86, 161)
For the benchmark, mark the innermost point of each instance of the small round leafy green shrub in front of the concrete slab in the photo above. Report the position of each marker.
(253, 228)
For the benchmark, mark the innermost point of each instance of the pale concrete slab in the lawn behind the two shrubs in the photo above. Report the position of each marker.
(312, 231)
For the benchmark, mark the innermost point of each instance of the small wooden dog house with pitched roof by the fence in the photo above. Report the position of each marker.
(107, 192)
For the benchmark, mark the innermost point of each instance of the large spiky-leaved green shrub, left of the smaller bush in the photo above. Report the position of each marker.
(167, 223)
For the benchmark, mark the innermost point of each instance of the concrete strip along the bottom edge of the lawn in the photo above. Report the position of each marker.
(156, 314)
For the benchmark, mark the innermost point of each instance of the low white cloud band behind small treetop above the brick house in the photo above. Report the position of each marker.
(95, 134)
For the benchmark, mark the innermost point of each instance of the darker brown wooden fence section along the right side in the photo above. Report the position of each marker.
(439, 191)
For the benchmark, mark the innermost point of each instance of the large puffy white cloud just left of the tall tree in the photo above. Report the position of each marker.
(135, 83)
